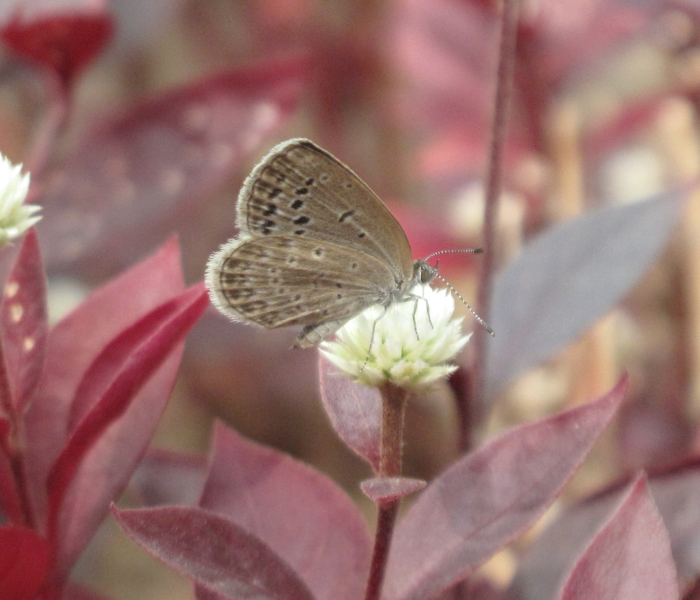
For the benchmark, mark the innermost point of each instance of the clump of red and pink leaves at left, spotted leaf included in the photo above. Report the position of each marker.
(83, 400)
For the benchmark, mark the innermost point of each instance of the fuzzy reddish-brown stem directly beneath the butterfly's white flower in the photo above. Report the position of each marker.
(390, 458)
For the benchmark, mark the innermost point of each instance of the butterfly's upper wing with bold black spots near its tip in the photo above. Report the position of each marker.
(301, 190)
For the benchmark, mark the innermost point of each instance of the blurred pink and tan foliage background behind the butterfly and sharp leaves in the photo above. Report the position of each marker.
(166, 105)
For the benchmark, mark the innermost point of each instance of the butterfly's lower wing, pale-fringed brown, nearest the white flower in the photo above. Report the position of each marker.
(283, 280)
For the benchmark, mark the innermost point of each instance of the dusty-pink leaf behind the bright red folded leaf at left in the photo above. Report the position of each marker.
(75, 342)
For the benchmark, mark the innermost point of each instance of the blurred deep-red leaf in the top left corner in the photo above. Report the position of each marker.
(64, 43)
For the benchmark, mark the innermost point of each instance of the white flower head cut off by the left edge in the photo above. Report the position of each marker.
(15, 216)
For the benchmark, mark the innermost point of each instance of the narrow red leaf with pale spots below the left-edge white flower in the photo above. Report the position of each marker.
(23, 324)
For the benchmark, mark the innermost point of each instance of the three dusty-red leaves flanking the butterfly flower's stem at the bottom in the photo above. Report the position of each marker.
(269, 527)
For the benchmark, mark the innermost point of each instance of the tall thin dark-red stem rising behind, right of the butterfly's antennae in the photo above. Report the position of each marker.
(504, 80)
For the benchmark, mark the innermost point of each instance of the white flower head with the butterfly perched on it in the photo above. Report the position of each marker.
(397, 355)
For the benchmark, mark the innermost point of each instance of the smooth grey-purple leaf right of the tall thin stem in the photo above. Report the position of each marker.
(569, 278)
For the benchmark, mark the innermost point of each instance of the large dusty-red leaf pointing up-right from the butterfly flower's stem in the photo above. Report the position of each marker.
(489, 497)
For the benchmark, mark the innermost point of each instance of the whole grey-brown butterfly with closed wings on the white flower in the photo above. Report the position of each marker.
(316, 247)
